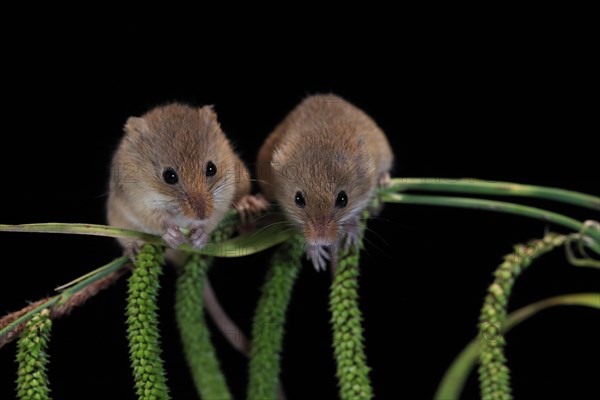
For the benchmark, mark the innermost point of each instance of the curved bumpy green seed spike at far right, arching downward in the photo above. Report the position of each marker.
(494, 377)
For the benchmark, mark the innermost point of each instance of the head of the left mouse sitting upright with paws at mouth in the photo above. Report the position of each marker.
(185, 164)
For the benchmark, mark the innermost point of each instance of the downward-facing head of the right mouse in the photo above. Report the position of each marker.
(321, 186)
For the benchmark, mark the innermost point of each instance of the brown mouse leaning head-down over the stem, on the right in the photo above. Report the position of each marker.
(322, 165)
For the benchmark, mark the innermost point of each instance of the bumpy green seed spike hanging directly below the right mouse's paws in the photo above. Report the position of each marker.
(350, 357)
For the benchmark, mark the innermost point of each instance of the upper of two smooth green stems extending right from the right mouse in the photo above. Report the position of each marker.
(474, 186)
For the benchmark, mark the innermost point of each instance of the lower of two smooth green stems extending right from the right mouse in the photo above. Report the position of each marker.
(496, 206)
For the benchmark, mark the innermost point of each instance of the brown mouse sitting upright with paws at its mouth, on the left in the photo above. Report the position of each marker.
(174, 169)
